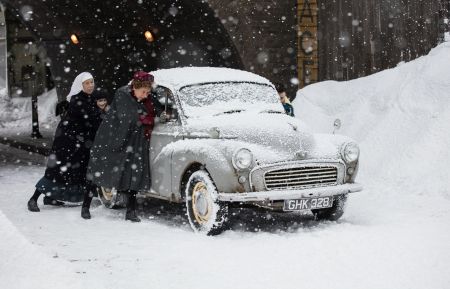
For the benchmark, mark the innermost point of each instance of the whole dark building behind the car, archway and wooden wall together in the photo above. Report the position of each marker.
(311, 40)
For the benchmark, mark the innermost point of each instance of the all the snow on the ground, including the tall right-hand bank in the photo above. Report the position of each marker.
(394, 234)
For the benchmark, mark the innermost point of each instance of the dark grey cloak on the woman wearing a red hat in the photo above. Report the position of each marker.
(120, 155)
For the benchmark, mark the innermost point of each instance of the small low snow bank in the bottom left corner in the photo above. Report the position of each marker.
(24, 266)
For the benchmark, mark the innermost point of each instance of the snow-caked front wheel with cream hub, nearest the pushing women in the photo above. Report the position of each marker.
(205, 213)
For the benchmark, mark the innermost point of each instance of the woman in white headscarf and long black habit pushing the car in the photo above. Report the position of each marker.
(65, 175)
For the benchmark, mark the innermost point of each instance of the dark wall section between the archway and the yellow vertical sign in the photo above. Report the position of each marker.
(265, 34)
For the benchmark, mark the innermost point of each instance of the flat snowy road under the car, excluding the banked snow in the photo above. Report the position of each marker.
(381, 242)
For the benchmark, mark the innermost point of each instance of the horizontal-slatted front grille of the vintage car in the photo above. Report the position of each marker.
(300, 177)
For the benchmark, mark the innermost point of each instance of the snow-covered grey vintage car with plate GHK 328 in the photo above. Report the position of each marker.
(227, 141)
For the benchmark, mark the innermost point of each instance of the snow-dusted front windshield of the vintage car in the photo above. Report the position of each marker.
(228, 97)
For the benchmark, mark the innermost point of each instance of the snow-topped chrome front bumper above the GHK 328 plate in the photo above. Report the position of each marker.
(276, 195)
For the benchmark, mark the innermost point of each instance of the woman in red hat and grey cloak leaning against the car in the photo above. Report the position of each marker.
(120, 154)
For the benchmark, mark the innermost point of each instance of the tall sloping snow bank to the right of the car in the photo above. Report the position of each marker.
(400, 117)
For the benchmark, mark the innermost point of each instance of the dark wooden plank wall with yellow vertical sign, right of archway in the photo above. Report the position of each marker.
(330, 39)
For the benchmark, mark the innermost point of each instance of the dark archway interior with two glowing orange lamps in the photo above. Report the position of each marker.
(111, 37)
